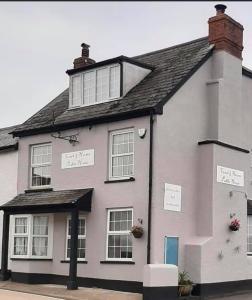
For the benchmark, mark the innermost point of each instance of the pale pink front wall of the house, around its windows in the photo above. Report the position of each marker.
(113, 195)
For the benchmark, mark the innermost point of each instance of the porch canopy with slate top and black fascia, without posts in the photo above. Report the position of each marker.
(49, 201)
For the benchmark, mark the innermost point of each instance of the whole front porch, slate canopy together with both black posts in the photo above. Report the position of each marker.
(32, 202)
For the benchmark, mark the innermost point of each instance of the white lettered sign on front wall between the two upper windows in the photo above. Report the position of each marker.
(77, 159)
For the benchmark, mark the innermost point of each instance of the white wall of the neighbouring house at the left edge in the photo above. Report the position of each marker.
(8, 181)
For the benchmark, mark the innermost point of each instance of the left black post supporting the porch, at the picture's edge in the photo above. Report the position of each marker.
(5, 246)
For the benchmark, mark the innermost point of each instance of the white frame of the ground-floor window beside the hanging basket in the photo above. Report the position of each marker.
(117, 233)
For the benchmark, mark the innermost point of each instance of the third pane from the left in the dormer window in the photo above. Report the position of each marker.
(102, 85)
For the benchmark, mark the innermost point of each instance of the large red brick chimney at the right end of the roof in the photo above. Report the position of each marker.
(225, 33)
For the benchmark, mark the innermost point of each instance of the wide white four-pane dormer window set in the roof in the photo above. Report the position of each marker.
(95, 86)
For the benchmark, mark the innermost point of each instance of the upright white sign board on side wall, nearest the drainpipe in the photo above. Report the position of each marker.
(172, 197)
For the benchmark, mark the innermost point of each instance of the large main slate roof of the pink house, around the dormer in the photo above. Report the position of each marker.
(172, 67)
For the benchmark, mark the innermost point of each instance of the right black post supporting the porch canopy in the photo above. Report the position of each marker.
(72, 280)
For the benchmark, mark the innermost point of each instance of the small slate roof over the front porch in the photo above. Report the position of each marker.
(49, 198)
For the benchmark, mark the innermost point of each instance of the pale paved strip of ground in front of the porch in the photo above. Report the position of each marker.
(60, 292)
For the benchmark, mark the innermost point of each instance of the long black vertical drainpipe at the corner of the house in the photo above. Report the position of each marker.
(150, 188)
